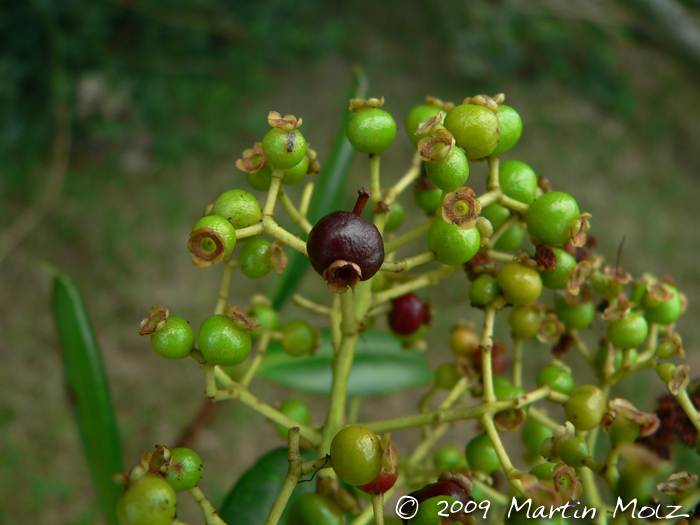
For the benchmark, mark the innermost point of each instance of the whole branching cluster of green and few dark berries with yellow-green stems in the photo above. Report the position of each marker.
(518, 249)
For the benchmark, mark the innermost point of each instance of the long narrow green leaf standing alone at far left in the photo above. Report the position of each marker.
(89, 391)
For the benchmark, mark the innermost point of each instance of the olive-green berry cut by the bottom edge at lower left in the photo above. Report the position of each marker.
(149, 501)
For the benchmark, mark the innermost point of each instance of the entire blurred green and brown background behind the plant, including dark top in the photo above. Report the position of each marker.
(122, 119)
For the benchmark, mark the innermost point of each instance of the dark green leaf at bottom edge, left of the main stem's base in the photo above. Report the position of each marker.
(251, 499)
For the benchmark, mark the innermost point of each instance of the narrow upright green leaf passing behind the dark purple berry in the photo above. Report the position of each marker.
(327, 197)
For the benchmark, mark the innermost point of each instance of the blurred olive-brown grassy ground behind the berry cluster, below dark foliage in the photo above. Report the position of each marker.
(123, 239)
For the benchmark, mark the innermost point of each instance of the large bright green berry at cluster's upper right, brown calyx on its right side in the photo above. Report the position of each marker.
(549, 219)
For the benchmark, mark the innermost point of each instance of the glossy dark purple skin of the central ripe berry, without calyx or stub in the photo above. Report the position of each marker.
(348, 237)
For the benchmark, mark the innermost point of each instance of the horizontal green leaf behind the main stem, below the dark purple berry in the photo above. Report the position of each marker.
(381, 366)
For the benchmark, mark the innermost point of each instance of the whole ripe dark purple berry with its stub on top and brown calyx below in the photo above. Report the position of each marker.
(344, 248)
